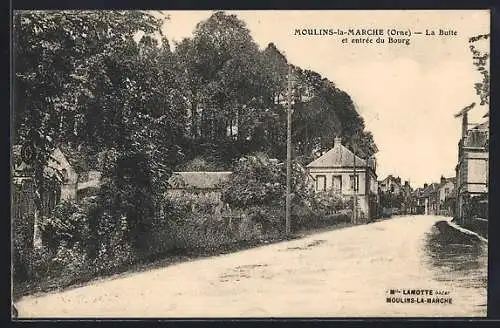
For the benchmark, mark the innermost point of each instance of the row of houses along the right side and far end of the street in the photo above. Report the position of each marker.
(464, 196)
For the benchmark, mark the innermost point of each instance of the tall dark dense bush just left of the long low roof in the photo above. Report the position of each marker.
(134, 184)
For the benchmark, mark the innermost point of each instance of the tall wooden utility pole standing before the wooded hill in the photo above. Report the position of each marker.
(289, 153)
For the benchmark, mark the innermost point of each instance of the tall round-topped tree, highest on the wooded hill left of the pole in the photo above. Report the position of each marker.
(225, 87)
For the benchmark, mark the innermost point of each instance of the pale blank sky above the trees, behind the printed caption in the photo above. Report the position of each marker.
(407, 94)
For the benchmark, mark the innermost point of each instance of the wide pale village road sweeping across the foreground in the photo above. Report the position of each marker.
(345, 272)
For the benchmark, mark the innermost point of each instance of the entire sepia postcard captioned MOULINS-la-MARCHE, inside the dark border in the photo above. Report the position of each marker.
(237, 164)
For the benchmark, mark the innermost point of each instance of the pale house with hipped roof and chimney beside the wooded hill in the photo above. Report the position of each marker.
(340, 170)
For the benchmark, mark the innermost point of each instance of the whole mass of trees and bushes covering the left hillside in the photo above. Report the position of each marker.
(108, 85)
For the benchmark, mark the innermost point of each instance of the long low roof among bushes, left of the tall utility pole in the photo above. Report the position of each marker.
(198, 180)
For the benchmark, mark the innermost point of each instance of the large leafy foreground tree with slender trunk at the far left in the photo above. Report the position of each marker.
(74, 74)
